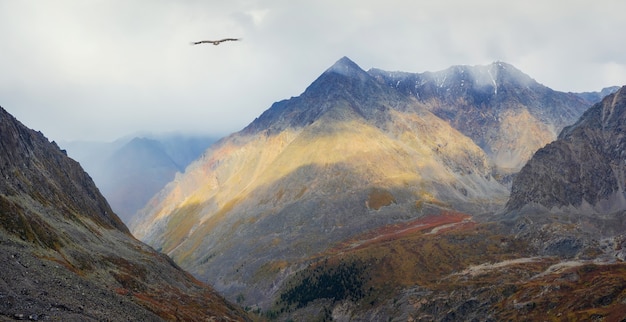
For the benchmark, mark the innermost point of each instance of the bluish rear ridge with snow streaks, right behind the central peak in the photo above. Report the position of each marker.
(504, 111)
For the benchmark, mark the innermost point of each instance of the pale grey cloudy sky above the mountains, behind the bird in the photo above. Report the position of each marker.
(103, 69)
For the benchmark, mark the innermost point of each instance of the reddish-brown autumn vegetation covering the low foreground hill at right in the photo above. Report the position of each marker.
(450, 254)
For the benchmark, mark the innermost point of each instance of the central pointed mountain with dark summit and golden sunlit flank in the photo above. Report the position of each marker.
(348, 155)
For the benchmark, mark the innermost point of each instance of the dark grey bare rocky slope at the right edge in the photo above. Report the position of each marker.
(585, 168)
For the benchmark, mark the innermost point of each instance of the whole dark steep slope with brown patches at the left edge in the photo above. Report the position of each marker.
(64, 254)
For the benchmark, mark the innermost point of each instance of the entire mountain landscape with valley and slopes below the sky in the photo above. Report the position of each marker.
(474, 193)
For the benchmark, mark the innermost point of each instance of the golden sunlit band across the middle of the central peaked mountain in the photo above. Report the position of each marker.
(439, 165)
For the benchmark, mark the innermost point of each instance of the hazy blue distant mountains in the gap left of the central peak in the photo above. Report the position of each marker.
(129, 171)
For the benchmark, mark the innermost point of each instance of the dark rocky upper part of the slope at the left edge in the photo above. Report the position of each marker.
(31, 166)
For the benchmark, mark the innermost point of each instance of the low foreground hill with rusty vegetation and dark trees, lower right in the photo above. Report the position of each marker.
(449, 267)
